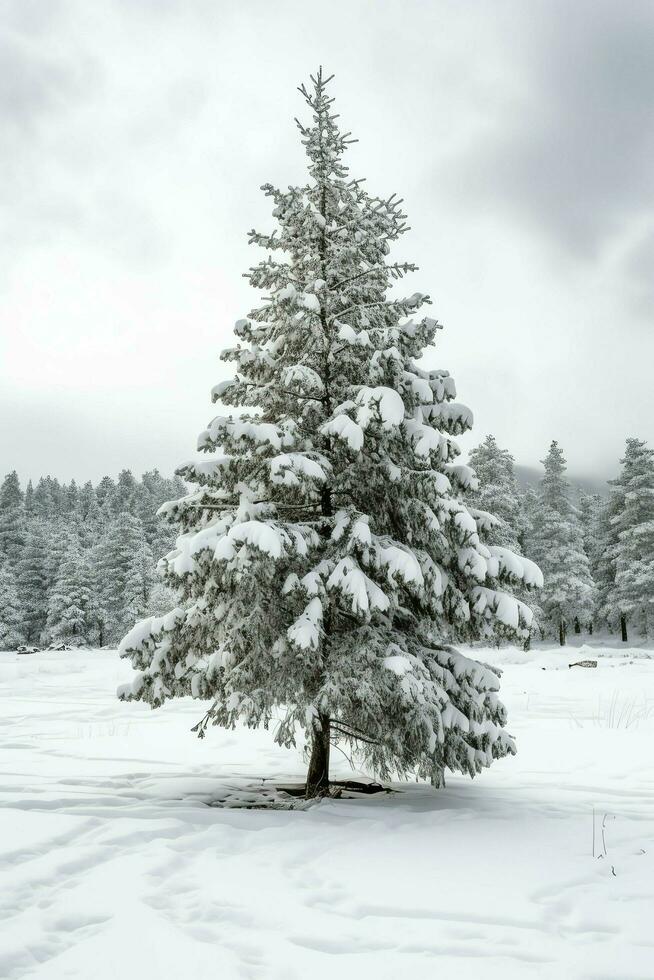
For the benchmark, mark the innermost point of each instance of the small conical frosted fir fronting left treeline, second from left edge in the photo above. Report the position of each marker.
(70, 615)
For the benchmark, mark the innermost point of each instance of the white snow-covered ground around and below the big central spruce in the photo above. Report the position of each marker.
(113, 866)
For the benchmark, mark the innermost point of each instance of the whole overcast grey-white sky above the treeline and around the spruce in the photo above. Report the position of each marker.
(134, 137)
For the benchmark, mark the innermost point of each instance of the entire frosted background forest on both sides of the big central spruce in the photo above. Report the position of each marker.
(78, 564)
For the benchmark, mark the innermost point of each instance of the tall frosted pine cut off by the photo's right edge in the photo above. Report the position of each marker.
(633, 591)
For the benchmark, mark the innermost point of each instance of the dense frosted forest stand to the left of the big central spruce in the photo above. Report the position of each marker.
(78, 564)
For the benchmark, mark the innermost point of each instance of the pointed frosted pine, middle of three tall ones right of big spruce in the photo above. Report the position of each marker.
(555, 541)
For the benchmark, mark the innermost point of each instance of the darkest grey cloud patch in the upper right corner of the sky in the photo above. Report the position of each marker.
(572, 151)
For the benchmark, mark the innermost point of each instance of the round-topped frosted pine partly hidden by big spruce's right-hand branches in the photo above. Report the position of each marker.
(498, 493)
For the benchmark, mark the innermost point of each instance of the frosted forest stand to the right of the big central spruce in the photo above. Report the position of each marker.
(596, 552)
